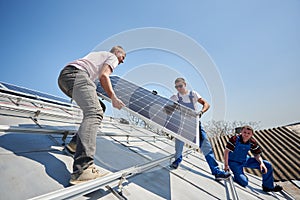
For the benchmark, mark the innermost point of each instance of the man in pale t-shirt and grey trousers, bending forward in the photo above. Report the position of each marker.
(76, 80)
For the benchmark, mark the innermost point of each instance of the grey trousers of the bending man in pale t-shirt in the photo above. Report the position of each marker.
(76, 84)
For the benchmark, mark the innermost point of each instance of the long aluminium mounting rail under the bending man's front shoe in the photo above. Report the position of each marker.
(93, 185)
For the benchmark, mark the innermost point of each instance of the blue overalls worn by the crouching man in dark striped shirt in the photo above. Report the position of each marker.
(238, 159)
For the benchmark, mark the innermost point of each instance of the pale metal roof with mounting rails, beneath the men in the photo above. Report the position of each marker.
(34, 165)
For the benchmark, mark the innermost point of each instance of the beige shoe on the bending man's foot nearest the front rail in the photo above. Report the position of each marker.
(88, 174)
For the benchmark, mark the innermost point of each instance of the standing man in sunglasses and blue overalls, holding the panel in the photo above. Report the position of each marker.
(190, 99)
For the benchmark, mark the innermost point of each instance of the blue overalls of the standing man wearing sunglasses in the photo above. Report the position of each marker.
(204, 142)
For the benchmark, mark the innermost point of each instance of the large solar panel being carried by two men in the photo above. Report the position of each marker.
(178, 120)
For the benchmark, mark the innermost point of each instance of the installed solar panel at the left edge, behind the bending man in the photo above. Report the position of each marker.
(32, 93)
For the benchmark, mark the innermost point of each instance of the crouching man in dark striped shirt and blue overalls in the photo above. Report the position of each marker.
(236, 158)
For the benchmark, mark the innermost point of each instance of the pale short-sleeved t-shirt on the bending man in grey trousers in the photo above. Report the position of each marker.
(94, 61)
